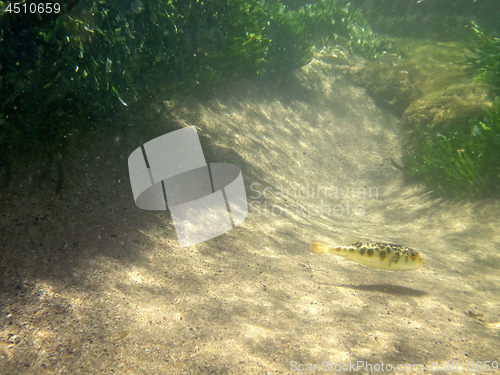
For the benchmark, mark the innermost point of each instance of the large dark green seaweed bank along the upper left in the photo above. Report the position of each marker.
(103, 56)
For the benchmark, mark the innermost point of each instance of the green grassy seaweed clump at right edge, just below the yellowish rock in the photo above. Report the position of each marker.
(462, 161)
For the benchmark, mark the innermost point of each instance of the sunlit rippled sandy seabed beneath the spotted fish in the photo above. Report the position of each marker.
(92, 284)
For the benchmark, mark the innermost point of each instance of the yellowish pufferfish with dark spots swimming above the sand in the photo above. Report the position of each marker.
(382, 256)
